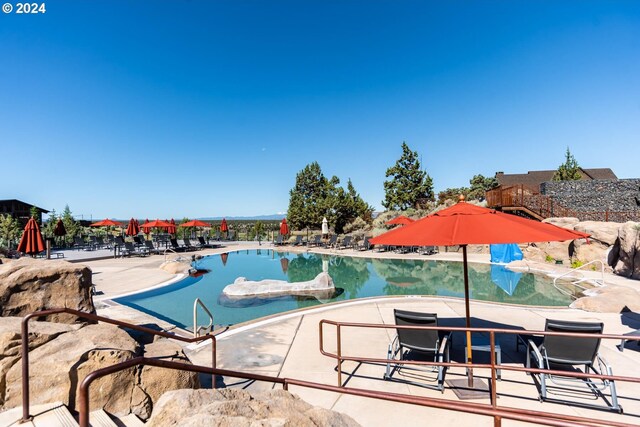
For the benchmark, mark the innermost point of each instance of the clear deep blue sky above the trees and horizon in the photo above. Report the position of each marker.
(210, 108)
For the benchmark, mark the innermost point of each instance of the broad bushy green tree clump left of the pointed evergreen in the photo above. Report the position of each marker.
(315, 197)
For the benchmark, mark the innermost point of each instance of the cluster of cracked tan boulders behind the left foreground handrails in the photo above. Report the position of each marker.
(63, 355)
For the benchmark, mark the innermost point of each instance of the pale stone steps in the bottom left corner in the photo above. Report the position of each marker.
(57, 415)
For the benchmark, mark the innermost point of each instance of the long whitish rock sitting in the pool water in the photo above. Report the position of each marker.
(242, 287)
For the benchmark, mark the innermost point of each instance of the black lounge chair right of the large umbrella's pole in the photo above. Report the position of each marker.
(563, 353)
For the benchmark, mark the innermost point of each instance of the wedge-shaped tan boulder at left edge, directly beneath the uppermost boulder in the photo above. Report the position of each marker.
(10, 341)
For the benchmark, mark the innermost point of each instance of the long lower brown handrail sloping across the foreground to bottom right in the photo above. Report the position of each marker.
(530, 416)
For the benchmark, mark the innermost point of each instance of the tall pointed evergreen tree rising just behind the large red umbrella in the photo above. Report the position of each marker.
(408, 185)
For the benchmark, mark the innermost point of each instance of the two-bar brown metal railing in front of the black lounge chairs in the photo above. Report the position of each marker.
(340, 358)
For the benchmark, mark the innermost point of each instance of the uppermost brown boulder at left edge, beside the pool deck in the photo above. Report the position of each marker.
(28, 285)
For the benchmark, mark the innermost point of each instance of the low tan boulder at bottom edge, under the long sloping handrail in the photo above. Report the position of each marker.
(231, 407)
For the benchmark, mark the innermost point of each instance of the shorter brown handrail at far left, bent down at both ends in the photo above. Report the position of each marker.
(94, 317)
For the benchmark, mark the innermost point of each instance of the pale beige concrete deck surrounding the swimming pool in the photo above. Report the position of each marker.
(288, 345)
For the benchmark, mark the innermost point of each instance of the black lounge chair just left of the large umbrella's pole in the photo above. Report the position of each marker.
(418, 344)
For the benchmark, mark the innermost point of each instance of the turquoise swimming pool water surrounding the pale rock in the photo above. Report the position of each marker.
(353, 278)
